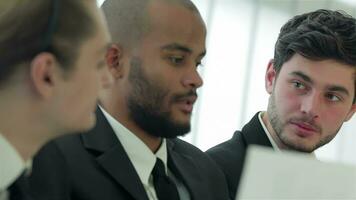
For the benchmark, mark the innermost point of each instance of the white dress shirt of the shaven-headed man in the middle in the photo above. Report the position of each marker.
(143, 159)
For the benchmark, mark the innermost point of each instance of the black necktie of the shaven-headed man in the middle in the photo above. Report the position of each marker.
(164, 186)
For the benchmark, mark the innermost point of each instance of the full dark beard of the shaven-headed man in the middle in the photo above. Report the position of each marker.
(146, 104)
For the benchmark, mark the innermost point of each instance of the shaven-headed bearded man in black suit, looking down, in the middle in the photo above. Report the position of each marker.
(133, 152)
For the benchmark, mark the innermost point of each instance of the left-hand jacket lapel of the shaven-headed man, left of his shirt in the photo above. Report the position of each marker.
(113, 158)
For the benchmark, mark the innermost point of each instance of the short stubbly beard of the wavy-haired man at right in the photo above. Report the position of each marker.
(279, 128)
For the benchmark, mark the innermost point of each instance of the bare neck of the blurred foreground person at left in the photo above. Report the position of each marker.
(20, 125)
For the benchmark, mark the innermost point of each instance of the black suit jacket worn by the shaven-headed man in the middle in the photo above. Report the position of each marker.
(95, 166)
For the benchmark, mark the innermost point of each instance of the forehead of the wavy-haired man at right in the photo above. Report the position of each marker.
(328, 72)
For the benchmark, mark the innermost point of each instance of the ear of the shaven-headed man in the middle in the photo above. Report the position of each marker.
(114, 60)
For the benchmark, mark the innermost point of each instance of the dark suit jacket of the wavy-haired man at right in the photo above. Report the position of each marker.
(230, 155)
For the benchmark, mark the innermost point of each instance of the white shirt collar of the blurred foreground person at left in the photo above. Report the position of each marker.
(11, 166)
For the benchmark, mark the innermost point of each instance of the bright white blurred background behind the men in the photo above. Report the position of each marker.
(241, 38)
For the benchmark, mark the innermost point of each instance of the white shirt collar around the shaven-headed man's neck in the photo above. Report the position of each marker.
(142, 158)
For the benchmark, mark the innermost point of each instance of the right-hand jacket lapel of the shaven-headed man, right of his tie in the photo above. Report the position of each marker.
(184, 168)
